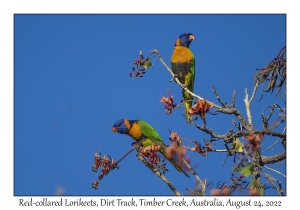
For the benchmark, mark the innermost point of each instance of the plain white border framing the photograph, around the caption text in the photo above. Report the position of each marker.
(10, 7)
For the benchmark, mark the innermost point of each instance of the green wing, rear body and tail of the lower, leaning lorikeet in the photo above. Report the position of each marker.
(154, 138)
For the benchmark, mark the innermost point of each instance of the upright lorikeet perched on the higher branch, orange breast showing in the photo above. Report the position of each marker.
(183, 66)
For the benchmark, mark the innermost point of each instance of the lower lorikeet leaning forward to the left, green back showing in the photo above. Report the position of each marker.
(140, 130)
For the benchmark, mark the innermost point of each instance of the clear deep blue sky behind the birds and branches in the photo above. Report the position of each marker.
(71, 83)
